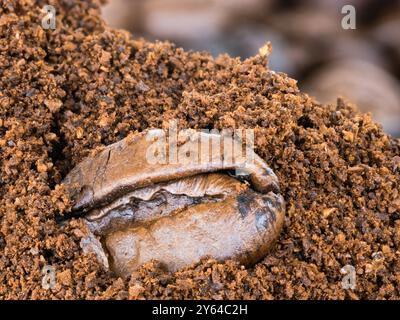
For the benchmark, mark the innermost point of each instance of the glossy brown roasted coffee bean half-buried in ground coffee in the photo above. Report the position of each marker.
(176, 214)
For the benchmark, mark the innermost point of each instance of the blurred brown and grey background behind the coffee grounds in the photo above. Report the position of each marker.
(309, 43)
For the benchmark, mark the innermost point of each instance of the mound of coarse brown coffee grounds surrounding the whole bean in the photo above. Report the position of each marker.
(68, 92)
